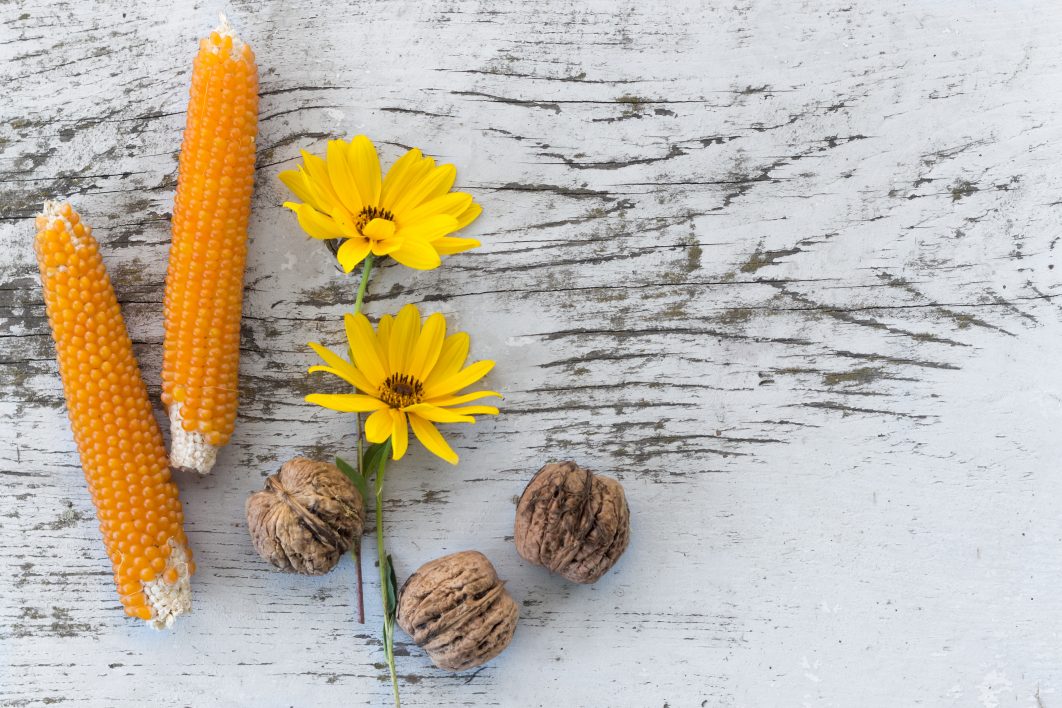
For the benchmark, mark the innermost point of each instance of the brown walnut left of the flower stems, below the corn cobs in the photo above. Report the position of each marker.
(306, 519)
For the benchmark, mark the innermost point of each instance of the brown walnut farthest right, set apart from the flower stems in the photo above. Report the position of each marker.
(572, 522)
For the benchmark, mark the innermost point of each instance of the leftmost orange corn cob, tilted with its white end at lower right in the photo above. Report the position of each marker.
(118, 439)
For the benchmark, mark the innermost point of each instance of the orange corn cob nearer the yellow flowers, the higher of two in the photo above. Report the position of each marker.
(204, 286)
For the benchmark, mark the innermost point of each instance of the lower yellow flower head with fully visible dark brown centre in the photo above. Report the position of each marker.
(406, 374)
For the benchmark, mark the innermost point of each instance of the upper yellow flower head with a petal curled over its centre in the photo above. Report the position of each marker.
(408, 216)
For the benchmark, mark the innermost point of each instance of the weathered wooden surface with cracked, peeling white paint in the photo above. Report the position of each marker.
(787, 270)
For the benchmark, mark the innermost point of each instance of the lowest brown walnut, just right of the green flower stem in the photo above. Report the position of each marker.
(458, 611)
